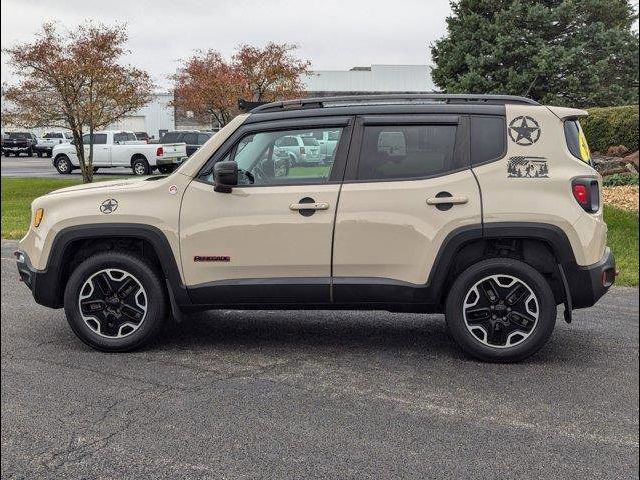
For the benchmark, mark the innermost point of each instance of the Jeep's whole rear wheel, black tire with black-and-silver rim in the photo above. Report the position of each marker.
(509, 325)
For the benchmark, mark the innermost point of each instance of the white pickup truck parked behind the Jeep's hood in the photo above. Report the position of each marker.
(113, 148)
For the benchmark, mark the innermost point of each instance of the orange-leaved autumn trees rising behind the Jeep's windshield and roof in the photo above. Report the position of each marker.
(210, 87)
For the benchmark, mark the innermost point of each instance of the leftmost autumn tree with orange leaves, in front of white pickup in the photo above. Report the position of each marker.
(74, 80)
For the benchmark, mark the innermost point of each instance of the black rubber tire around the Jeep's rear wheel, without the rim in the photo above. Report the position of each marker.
(526, 273)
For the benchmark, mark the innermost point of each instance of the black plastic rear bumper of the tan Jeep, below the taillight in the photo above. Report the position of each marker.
(588, 284)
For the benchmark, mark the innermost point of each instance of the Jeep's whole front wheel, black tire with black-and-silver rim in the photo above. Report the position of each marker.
(121, 322)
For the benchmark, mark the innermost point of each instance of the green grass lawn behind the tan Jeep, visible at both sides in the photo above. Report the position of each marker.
(18, 193)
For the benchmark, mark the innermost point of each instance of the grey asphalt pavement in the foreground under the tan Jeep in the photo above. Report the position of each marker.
(316, 395)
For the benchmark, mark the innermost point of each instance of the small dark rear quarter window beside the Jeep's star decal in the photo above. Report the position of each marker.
(488, 139)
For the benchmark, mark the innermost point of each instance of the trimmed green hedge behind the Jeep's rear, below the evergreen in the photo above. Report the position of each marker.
(611, 126)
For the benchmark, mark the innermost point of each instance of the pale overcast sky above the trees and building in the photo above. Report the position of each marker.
(331, 34)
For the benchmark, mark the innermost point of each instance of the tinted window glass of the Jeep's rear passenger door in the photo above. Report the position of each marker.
(406, 151)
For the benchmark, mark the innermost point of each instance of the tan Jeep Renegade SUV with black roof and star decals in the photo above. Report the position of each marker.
(481, 207)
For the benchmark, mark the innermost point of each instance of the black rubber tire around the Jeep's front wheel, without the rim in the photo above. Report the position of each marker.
(156, 301)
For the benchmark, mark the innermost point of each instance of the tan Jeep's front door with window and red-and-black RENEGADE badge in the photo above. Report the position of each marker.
(269, 240)
